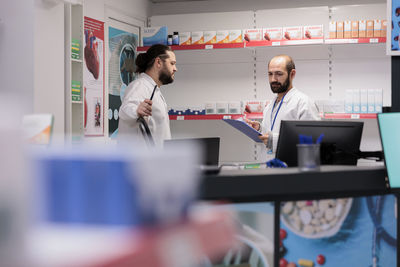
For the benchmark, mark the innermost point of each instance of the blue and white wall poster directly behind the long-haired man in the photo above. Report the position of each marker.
(123, 41)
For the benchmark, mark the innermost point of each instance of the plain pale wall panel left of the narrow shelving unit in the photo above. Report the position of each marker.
(49, 62)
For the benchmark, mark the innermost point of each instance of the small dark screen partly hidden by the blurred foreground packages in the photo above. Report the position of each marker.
(210, 147)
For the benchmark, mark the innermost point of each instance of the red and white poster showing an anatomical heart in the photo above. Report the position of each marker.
(93, 77)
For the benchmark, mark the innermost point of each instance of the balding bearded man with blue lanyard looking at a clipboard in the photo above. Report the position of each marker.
(290, 103)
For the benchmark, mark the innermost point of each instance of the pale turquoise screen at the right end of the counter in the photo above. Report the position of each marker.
(389, 128)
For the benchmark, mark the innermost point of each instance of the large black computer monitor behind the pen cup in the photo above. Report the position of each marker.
(340, 144)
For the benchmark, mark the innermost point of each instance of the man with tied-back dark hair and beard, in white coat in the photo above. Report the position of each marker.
(156, 67)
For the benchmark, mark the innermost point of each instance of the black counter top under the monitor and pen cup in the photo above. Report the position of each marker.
(290, 184)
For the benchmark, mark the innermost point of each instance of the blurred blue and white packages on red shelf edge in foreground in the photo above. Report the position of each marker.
(115, 206)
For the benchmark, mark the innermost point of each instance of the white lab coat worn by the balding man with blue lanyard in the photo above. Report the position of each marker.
(296, 106)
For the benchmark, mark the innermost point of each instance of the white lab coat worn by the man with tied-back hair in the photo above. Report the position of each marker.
(136, 92)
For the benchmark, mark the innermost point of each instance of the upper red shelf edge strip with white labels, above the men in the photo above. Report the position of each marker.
(264, 43)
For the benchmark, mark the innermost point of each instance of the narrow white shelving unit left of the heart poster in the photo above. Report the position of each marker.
(74, 116)
